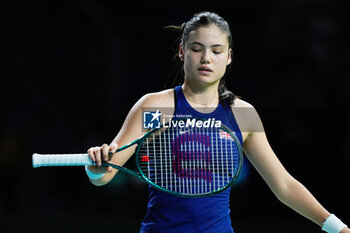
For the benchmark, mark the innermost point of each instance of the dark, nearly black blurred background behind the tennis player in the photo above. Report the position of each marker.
(71, 71)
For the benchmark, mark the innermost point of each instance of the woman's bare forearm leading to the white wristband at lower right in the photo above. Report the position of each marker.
(298, 198)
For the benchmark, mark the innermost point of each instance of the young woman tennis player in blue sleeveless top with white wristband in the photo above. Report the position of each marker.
(205, 50)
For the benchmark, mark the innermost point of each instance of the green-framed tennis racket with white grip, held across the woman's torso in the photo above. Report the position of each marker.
(185, 157)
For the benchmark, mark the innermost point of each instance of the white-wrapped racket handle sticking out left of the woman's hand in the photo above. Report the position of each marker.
(45, 160)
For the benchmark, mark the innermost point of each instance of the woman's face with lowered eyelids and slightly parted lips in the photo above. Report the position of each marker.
(206, 54)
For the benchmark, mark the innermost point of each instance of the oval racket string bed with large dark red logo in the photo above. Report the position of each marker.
(190, 160)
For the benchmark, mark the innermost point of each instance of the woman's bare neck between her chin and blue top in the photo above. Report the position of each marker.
(201, 96)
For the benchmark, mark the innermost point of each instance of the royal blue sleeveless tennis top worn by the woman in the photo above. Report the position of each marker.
(170, 214)
